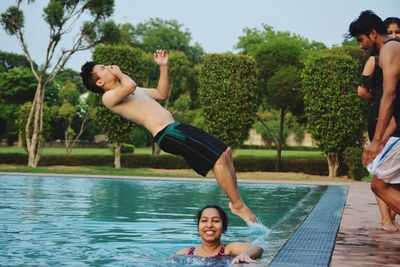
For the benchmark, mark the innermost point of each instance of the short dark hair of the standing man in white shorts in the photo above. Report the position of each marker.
(365, 23)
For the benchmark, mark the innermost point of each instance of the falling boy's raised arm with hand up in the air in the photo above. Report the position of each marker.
(162, 90)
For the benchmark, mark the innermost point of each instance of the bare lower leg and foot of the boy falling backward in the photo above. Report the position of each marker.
(226, 177)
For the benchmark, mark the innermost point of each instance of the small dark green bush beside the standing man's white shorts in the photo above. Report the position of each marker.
(352, 157)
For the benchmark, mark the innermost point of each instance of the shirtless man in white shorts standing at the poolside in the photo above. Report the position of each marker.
(383, 153)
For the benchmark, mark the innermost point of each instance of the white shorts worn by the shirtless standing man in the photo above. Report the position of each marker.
(386, 165)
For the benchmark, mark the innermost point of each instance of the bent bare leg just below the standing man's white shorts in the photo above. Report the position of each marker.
(389, 193)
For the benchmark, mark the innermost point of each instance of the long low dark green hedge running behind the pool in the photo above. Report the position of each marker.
(242, 163)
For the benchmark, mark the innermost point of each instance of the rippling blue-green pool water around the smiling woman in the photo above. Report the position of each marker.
(52, 221)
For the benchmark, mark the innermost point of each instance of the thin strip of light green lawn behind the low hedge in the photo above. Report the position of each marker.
(147, 150)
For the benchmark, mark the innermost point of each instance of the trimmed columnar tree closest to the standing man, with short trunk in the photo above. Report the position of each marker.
(332, 108)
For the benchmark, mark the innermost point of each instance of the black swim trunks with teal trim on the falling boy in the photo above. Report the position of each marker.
(200, 149)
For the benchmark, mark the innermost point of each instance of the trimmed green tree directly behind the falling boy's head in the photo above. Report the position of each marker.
(117, 128)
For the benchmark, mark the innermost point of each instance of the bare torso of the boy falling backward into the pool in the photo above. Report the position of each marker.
(140, 108)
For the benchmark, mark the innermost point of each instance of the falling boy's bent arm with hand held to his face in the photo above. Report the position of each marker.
(125, 87)
